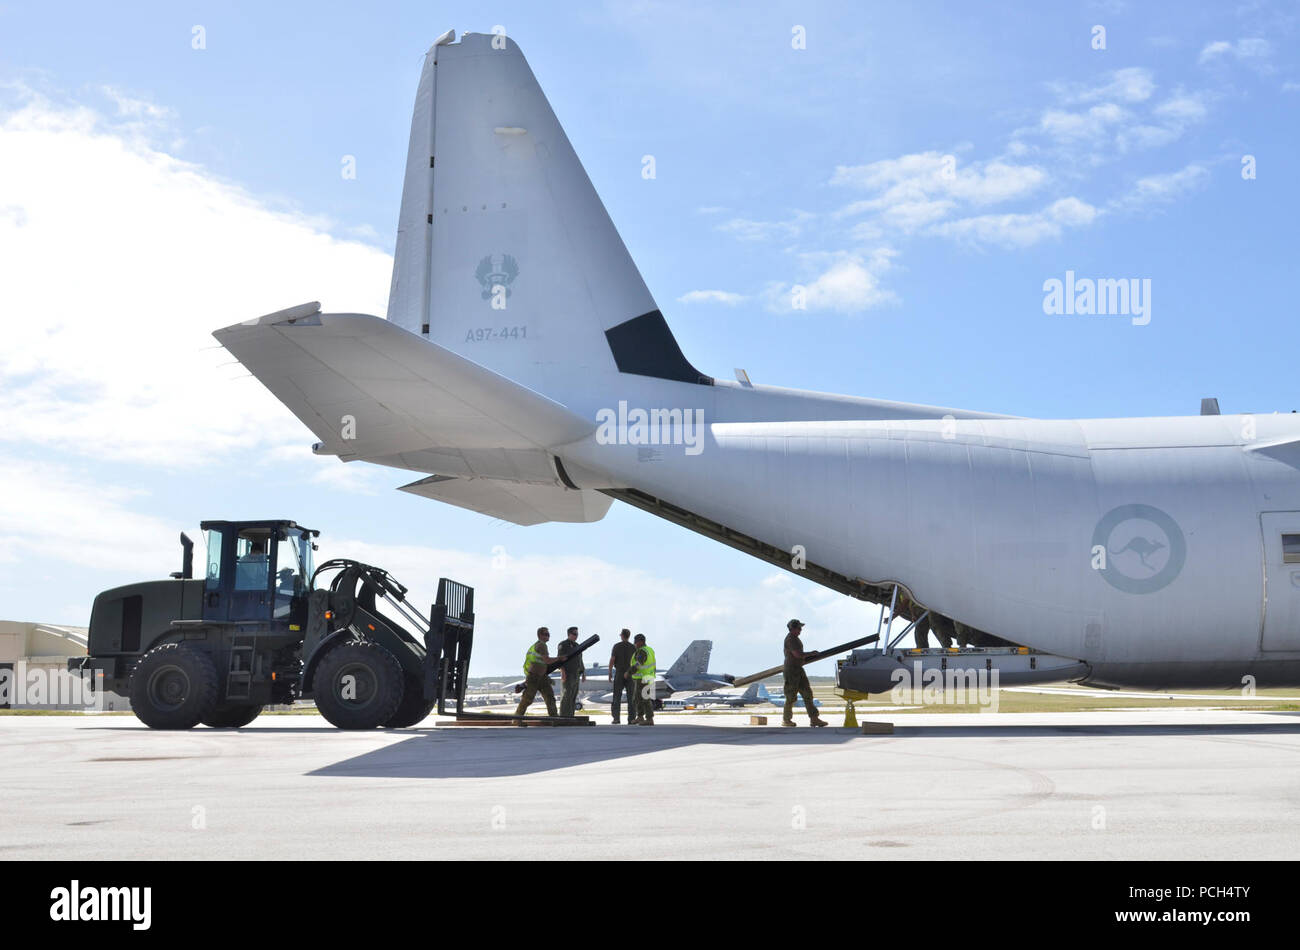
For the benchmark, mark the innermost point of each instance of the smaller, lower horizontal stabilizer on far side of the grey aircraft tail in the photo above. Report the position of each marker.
(517, 502)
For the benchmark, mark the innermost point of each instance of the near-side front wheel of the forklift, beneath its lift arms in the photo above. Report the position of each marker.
(358, 686)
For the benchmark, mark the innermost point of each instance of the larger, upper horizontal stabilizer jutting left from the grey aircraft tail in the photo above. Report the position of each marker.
(370, 389)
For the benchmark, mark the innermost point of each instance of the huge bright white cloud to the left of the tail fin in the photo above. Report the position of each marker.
(120, 263)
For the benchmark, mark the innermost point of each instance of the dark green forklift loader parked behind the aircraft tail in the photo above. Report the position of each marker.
(266, 627)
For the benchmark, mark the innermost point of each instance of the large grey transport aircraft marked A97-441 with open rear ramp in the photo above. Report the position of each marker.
(526, 372)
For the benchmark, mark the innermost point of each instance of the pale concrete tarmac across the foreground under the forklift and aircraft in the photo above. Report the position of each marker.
(1136, 786)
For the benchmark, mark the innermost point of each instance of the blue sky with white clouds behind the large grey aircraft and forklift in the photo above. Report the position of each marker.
(151, 193)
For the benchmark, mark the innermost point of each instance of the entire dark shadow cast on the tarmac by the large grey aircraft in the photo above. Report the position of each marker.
(476, 753)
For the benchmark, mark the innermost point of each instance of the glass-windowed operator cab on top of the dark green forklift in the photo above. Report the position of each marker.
(258, 572)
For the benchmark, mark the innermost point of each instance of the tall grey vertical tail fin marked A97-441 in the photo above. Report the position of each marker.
(505, 253)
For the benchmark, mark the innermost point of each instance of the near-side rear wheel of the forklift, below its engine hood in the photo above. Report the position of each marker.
(174, 688)
